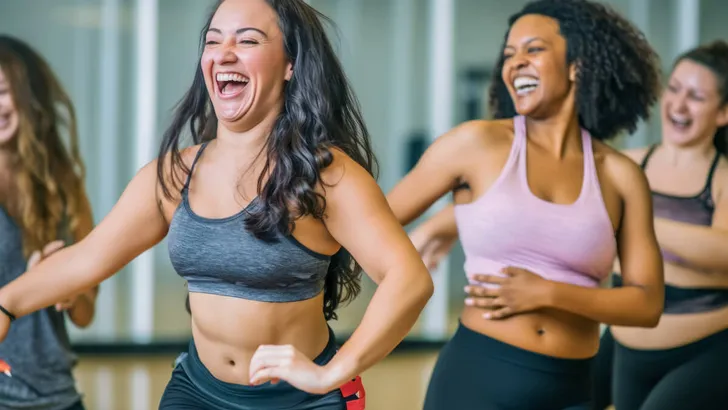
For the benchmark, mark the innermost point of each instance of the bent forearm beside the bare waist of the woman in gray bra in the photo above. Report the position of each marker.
(392, 312)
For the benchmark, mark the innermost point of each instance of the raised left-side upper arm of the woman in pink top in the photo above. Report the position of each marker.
(435, 174)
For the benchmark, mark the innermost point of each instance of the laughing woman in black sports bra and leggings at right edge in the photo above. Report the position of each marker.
(681, 363)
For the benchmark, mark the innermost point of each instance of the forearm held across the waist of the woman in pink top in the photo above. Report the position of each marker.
(625, 306)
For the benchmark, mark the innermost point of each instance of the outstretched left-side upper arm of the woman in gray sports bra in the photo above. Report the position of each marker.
(134, 225)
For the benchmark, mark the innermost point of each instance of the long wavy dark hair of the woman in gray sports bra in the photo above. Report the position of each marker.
(320, 113)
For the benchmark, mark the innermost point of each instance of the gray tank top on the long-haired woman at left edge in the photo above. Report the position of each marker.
(37, 346)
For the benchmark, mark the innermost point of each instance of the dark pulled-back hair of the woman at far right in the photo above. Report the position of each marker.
(713, 56)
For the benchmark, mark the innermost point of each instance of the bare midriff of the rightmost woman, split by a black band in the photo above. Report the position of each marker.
(682, 329)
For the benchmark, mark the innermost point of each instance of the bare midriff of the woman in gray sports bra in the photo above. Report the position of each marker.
(227, 331)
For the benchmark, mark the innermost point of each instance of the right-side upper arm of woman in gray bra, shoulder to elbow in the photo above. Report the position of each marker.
(359, 218)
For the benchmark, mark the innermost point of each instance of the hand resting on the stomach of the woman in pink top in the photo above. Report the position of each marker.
(518, 291)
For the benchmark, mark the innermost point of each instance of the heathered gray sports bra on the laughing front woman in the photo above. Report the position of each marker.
(219, 256)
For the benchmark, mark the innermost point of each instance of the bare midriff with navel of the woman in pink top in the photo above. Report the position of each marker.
(549, 332)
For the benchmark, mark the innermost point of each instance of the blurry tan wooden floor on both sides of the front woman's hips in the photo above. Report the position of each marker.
(124, 383)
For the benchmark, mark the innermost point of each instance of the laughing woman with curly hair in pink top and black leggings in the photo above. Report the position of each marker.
(552, 206)
